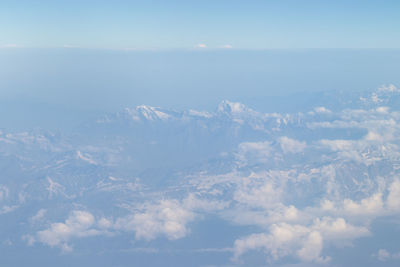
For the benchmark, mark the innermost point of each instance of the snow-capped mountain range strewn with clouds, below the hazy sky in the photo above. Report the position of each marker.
(292, 188)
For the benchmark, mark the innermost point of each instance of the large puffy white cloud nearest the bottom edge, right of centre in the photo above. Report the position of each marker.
(306, 242)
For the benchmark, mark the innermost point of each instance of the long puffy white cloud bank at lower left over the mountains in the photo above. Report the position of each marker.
(166, 218)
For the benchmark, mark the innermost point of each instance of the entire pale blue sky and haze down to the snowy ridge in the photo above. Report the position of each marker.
(77, 59)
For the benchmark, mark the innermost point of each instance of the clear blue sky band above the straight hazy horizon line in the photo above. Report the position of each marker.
(185, 24)
